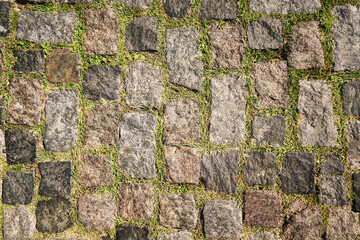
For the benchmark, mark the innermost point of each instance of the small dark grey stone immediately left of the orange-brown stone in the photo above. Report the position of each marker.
(29, 61)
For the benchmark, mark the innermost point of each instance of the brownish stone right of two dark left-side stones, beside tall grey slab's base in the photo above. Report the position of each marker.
(95, 171)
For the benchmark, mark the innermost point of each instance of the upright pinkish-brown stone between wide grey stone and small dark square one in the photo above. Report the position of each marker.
(101, 31)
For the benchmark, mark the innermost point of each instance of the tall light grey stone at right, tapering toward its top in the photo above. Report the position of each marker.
(318, 122)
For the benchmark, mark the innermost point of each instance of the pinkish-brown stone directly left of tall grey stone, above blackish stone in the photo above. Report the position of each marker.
(26, 104)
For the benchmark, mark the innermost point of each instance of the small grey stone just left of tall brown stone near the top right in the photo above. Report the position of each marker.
(265, 33)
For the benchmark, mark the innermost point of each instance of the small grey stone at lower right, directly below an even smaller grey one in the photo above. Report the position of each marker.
(333, 190)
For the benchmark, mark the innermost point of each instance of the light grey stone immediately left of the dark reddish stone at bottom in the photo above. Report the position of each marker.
(222, 219)
